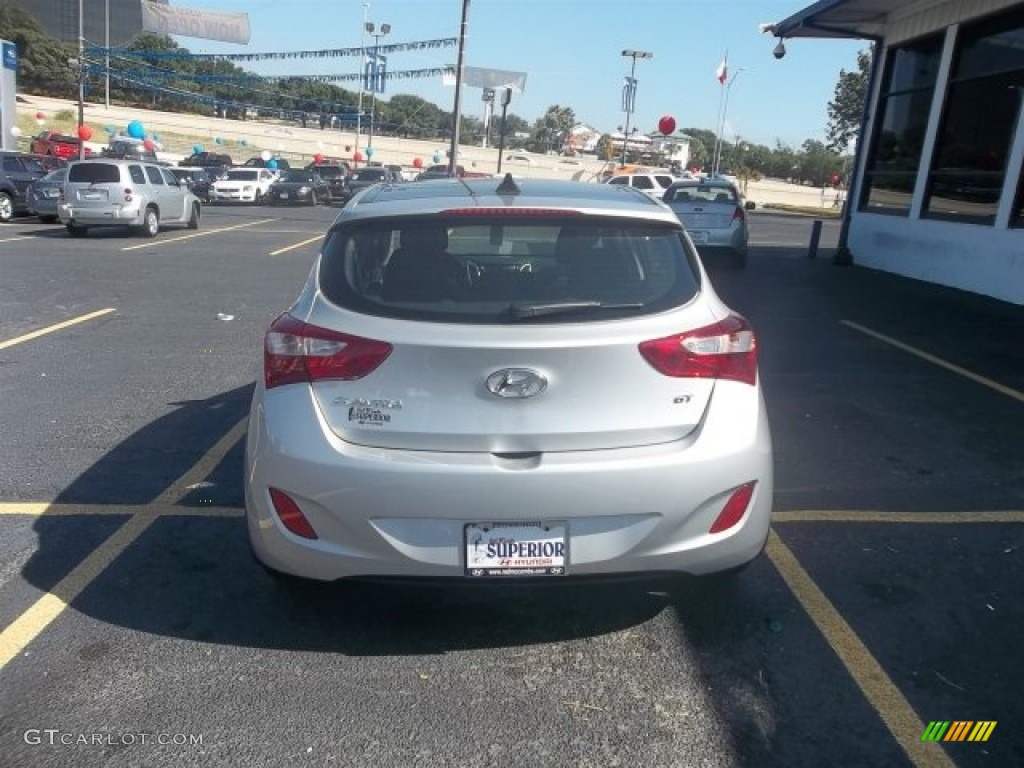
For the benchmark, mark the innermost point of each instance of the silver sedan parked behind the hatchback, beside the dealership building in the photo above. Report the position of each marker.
(712, 211)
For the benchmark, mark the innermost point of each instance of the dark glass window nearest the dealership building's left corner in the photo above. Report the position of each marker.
(905, 103)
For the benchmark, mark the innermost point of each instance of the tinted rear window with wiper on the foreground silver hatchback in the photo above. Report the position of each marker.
(507, 270)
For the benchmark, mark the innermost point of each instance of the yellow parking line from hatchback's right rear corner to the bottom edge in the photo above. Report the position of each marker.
(880, 691)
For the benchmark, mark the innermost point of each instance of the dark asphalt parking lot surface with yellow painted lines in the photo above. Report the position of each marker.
(136, 630)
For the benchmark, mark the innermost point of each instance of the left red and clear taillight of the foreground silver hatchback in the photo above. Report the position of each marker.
(295, 353)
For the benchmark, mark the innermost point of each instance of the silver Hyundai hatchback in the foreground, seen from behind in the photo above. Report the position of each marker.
(498, 379)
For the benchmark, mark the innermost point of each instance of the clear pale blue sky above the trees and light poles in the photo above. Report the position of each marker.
(572, 54)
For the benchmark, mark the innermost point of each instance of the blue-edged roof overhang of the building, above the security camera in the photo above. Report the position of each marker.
(851, 19)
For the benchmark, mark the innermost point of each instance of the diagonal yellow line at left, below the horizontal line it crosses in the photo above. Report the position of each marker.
(30, 625)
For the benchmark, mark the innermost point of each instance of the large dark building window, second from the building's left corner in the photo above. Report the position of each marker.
(984, 102)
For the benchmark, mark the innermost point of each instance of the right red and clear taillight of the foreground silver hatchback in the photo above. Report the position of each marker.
(722, 351)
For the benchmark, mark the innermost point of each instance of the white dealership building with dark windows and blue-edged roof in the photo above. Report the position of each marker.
(937, 193)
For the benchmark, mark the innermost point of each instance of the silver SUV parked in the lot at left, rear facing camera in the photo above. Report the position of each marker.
(143, 196)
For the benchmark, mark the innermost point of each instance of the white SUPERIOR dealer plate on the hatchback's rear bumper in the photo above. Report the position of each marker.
(511, 549)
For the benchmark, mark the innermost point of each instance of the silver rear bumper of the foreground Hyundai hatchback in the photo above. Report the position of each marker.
(402, 514)
